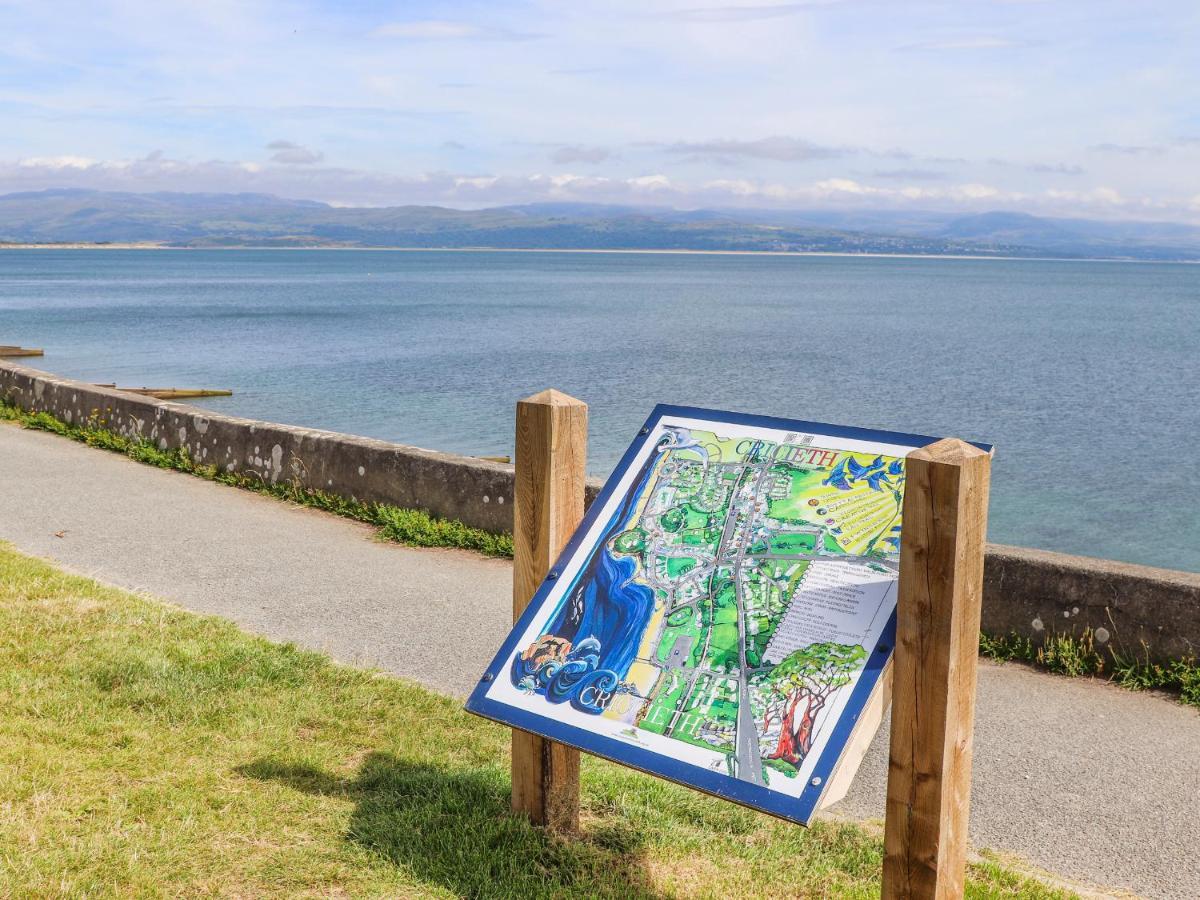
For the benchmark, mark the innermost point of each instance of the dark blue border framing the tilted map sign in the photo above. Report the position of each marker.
(795, 809)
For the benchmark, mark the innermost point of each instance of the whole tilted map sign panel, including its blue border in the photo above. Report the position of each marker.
(725, 610)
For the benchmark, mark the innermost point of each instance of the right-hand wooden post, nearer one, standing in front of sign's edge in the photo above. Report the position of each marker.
(937, 656)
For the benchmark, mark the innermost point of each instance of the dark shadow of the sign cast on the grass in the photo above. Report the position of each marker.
(454, 829)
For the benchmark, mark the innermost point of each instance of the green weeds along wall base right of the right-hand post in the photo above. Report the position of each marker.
(1078, 656)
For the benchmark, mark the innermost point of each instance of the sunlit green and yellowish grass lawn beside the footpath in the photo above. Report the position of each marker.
(148, 752)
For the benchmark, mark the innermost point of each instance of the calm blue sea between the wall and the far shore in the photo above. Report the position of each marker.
(1085, 376)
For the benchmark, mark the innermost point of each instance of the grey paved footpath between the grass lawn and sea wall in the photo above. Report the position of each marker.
(1082, 779)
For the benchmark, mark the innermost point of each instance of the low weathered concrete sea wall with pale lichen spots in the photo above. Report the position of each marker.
(1135, 609)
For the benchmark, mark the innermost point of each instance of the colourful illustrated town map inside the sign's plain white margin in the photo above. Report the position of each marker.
(729, 599)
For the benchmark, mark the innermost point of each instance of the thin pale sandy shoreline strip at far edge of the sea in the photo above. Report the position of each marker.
(611, 251)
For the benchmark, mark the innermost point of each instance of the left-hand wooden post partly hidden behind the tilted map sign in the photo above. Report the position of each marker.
(551, 457)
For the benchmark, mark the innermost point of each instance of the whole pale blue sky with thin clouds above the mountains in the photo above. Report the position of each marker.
(1051, 107)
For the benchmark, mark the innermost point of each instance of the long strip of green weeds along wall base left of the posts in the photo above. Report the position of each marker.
(404, 526)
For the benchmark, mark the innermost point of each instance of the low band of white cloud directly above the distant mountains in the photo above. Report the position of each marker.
(344, 187)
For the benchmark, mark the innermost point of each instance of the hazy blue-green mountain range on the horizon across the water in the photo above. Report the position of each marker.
(251, 220)
